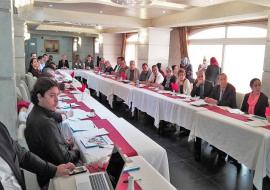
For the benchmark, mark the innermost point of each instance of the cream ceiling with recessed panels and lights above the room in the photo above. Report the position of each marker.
(96, 16)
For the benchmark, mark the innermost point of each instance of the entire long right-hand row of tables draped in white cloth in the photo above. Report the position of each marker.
(249, 145)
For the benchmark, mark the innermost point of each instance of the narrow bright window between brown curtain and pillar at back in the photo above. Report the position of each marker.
(131, 48)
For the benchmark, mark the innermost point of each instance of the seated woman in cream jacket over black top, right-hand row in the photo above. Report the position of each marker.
(183, 82)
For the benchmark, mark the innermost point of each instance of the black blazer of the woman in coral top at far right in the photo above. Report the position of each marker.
(259, 107)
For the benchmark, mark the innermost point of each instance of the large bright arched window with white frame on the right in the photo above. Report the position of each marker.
(238, 48)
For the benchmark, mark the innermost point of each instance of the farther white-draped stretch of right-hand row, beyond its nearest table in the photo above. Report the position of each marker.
(173, 109)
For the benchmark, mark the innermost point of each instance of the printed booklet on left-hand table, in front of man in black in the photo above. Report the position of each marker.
(99, 141)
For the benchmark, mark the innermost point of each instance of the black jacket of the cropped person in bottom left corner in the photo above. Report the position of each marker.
(17, 157)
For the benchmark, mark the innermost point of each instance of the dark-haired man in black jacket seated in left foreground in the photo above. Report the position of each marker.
(42, 133)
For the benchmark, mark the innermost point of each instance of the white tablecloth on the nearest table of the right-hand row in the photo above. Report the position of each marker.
(249, 145)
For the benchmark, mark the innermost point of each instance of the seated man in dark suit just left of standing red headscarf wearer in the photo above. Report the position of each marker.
(201, 87)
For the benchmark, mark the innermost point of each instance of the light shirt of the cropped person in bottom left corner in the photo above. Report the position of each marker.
(7, 177)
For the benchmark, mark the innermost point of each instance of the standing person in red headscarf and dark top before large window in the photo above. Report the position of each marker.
(212, 71)
